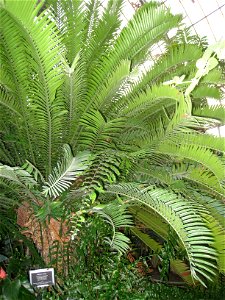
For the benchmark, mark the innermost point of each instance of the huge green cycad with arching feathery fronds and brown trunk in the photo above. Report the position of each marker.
(86, 126)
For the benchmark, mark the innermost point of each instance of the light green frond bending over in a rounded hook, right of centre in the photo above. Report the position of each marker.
(151, 116)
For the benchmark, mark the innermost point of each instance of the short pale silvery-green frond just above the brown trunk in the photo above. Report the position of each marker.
(66, 172)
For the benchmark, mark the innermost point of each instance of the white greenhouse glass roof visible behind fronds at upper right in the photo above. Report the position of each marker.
(205, 18)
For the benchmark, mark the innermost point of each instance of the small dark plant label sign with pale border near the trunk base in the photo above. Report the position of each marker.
(42, 277)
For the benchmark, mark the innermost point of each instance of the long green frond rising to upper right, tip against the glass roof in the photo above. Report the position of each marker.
(148, 25)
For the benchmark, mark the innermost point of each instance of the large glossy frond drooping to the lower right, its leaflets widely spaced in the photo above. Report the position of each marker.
(186, 221)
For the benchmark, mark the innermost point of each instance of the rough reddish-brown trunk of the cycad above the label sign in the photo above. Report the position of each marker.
(44, 236)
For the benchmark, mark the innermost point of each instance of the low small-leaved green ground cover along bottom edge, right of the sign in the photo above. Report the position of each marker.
(119, 280)
